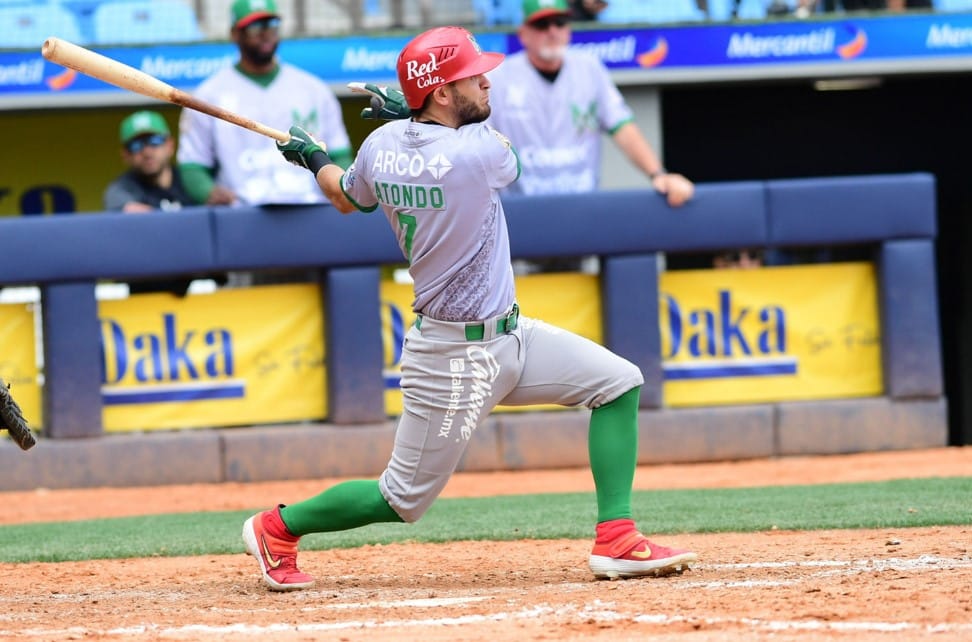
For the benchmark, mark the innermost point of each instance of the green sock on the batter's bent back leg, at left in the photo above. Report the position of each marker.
(347, 505)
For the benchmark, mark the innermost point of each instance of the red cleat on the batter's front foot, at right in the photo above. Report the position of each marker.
(631, 554)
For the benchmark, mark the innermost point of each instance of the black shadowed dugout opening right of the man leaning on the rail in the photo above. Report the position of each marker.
(897, 123)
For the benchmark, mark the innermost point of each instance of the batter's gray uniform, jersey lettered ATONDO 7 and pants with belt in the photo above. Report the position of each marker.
(468, 350)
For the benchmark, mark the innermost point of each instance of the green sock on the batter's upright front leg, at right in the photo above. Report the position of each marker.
(613, 445)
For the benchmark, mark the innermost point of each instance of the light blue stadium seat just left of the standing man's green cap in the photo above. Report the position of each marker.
(145, 22)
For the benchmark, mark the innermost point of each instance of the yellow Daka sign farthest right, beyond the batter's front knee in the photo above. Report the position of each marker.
(770, 334)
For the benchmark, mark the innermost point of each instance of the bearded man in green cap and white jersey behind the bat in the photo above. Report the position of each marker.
(226, 164)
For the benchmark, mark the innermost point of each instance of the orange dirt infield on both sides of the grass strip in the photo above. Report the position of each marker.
(888, 585)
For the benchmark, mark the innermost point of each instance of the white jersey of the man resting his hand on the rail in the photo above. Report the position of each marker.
(556, 127)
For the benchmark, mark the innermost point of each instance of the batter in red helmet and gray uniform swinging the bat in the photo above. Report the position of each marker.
(437, 177)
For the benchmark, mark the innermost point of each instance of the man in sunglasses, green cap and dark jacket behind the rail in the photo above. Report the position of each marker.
(151, 182)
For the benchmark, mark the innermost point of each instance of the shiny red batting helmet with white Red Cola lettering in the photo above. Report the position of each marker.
(440, 56)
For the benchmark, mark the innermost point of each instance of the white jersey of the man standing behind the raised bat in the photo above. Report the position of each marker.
(249, 163)
